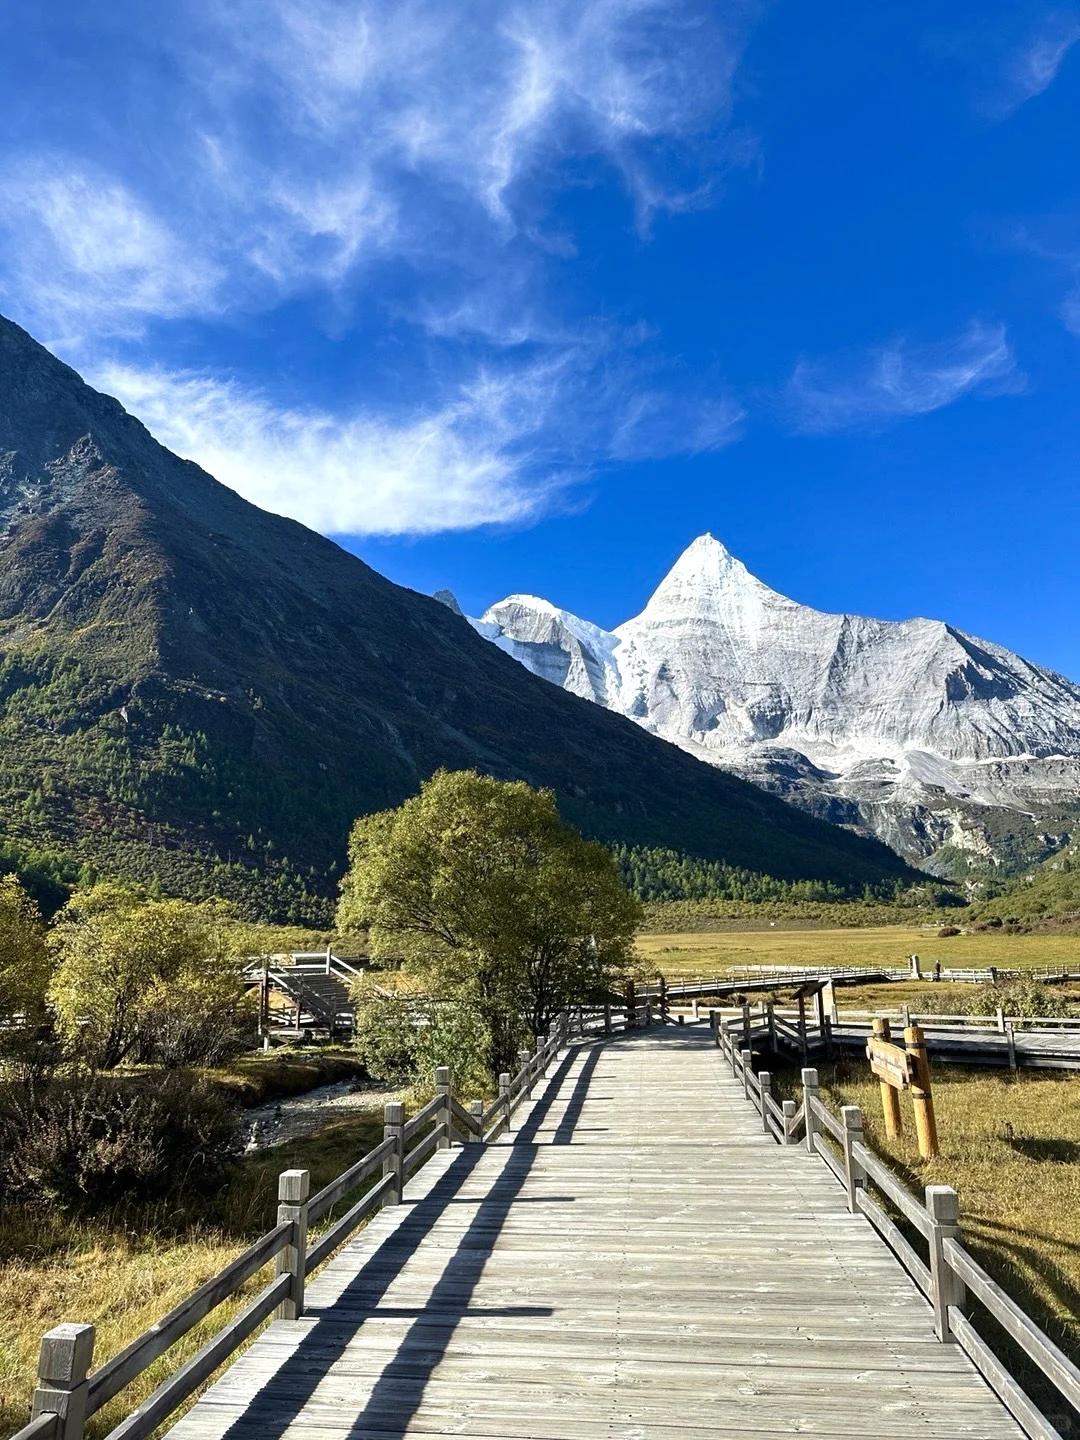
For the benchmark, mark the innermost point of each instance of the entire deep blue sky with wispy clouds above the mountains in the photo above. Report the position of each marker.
(526, 296)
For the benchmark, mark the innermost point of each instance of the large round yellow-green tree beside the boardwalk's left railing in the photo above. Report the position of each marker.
(486, 891)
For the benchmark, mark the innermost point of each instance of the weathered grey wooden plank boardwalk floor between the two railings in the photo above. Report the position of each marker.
(637, 1261)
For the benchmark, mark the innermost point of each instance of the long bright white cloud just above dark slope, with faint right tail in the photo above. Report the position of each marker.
(499, 450)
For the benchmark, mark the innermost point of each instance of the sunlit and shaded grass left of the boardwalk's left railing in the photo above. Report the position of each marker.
(127, 1269)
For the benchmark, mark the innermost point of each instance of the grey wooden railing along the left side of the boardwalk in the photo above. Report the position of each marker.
(68, 1395)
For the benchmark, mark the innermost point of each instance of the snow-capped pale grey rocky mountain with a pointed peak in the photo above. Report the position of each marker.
(951, 750)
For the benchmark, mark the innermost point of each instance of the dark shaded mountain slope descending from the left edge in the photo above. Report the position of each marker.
(199, 692)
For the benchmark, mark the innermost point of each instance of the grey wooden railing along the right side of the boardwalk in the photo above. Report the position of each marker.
(951, 1279)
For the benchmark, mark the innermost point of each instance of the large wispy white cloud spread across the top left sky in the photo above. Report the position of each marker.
(320, 139)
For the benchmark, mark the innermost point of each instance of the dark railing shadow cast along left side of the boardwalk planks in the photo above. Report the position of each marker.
(400, 1389)
